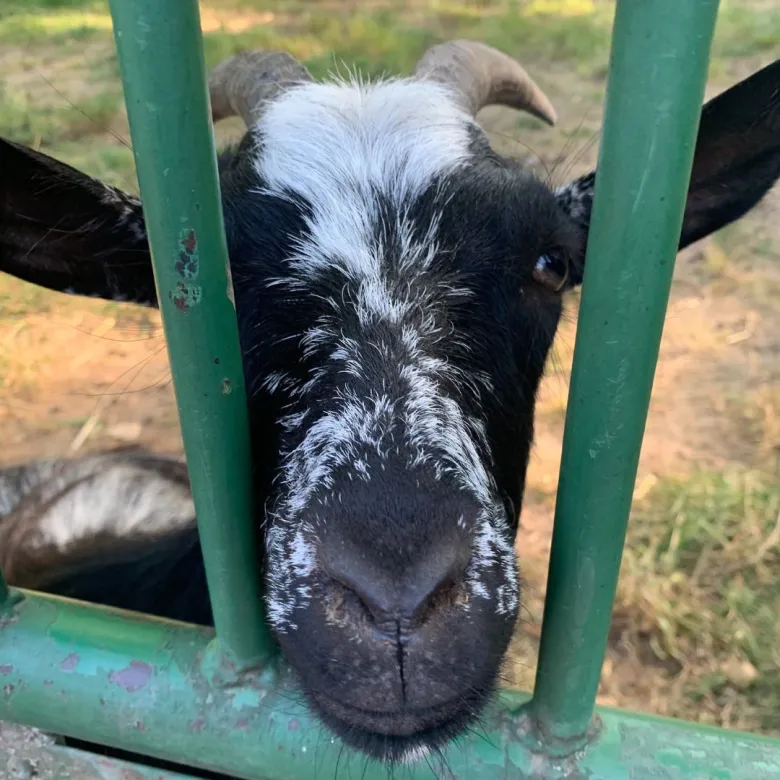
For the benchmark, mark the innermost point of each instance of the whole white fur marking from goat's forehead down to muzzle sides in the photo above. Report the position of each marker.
(339, 147)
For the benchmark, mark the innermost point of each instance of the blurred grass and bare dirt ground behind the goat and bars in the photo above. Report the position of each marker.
(696, 629)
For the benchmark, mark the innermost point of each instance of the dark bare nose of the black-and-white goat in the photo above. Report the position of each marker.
(401, 592)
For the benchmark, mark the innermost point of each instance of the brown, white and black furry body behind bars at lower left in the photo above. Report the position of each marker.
(91, 520)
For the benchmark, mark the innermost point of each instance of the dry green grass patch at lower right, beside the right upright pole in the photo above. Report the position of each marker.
(699, 585)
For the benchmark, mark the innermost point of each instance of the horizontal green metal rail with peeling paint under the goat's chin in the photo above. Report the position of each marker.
(137, 683)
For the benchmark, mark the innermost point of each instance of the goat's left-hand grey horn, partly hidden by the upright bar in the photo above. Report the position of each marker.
(241, 84)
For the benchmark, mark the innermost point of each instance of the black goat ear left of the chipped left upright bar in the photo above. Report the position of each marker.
(63, 230)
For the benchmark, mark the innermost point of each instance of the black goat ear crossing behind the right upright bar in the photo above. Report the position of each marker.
(736, 161)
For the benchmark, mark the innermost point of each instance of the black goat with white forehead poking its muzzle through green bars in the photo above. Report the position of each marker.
(398, 285)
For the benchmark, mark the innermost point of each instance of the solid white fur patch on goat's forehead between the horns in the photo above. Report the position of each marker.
(337, 145)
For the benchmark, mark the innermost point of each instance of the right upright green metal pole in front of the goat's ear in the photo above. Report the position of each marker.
(656, 81)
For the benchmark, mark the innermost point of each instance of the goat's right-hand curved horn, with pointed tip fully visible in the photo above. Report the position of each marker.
(484, 76)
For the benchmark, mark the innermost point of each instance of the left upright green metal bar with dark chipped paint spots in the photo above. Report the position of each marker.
(161, 58)
